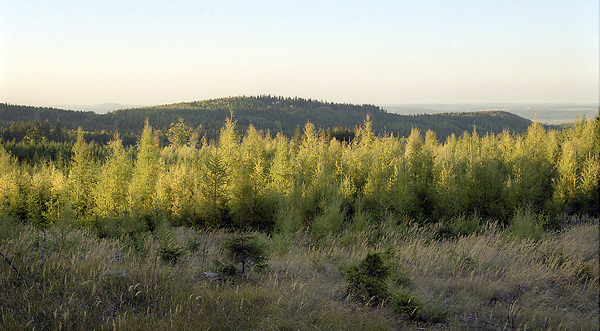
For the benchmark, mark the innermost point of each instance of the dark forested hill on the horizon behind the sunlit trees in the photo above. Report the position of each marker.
(265, 113)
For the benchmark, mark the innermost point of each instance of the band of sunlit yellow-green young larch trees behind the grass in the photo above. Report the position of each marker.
(250, 180)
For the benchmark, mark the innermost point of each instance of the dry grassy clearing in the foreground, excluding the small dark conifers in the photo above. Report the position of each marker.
(487, 280)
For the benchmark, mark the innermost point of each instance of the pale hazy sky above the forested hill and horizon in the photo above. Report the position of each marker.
(378, 52)
